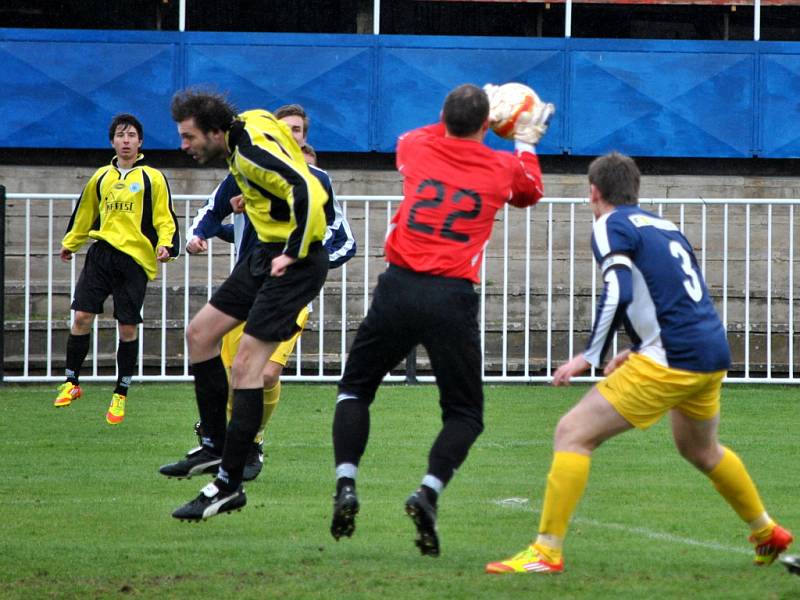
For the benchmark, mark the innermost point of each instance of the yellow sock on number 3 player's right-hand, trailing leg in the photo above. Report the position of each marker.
(731, 480)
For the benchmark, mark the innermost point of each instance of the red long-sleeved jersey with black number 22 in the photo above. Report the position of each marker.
(452, 189)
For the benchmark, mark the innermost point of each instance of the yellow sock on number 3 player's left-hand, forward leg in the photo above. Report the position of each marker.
(566, 481)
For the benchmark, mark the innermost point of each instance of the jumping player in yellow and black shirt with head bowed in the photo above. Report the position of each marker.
(286, 206)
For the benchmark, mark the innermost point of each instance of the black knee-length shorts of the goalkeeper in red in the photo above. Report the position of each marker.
(410, 308)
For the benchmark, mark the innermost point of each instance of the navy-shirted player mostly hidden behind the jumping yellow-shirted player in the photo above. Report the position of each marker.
(207, 224)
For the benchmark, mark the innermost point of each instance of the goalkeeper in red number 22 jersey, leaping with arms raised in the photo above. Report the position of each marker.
(453, 187)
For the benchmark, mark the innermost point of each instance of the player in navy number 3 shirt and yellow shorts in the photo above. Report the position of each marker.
(679, 356)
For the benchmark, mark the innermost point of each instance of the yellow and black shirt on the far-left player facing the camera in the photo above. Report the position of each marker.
(132, 212)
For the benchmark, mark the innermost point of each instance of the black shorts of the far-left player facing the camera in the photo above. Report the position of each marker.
(110, 272)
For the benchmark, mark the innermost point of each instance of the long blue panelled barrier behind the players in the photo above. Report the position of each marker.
(646, 98)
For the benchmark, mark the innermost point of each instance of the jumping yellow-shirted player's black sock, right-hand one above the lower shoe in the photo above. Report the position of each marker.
(248, 408)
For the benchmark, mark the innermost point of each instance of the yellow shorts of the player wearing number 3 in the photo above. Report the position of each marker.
(641, 390)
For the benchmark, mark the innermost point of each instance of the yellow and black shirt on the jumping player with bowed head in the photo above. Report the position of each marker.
(284, 201)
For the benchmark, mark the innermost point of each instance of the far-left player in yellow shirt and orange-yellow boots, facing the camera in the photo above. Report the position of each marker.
(127, 208)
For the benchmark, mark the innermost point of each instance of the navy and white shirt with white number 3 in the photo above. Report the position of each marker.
(653, 286)
